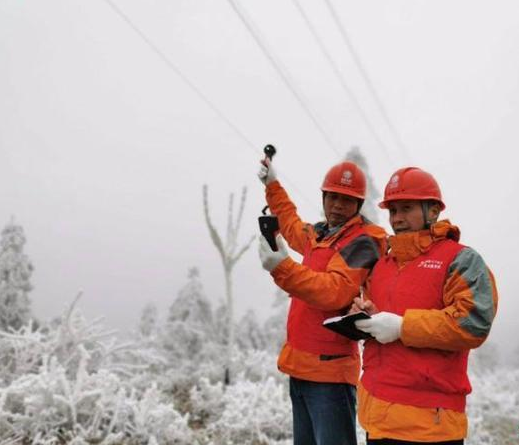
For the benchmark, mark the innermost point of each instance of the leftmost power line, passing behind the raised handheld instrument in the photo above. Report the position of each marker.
(197, 91)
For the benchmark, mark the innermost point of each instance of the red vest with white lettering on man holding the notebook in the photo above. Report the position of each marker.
(423, 377)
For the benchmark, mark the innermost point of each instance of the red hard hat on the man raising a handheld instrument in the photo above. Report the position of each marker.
(345, 178)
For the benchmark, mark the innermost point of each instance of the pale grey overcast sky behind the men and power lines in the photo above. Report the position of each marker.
(104, 148)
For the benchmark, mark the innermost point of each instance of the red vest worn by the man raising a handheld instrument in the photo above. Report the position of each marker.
(304, 325)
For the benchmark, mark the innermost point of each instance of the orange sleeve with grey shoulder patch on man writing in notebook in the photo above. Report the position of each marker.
(470, 298)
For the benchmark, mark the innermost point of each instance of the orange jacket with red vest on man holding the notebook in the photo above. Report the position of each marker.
(457, 319)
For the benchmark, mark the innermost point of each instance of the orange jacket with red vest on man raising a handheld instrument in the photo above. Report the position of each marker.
(335, 267)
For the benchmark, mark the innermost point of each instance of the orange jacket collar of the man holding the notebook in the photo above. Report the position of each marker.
(407, 246)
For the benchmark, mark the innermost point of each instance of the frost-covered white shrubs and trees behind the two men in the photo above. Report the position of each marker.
(72, 381)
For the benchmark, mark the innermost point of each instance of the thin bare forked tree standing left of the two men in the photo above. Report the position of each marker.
(229, 254)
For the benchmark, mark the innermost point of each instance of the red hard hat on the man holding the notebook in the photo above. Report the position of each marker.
(411, 183)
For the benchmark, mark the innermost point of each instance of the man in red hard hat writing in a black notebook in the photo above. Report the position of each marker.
(432, 299)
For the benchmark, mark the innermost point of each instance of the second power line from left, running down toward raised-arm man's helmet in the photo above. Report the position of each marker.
(283, 73)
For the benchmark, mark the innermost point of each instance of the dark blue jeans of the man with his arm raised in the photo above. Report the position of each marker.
(323, 413)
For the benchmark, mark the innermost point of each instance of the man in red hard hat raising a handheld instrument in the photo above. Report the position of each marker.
(338, 255)
